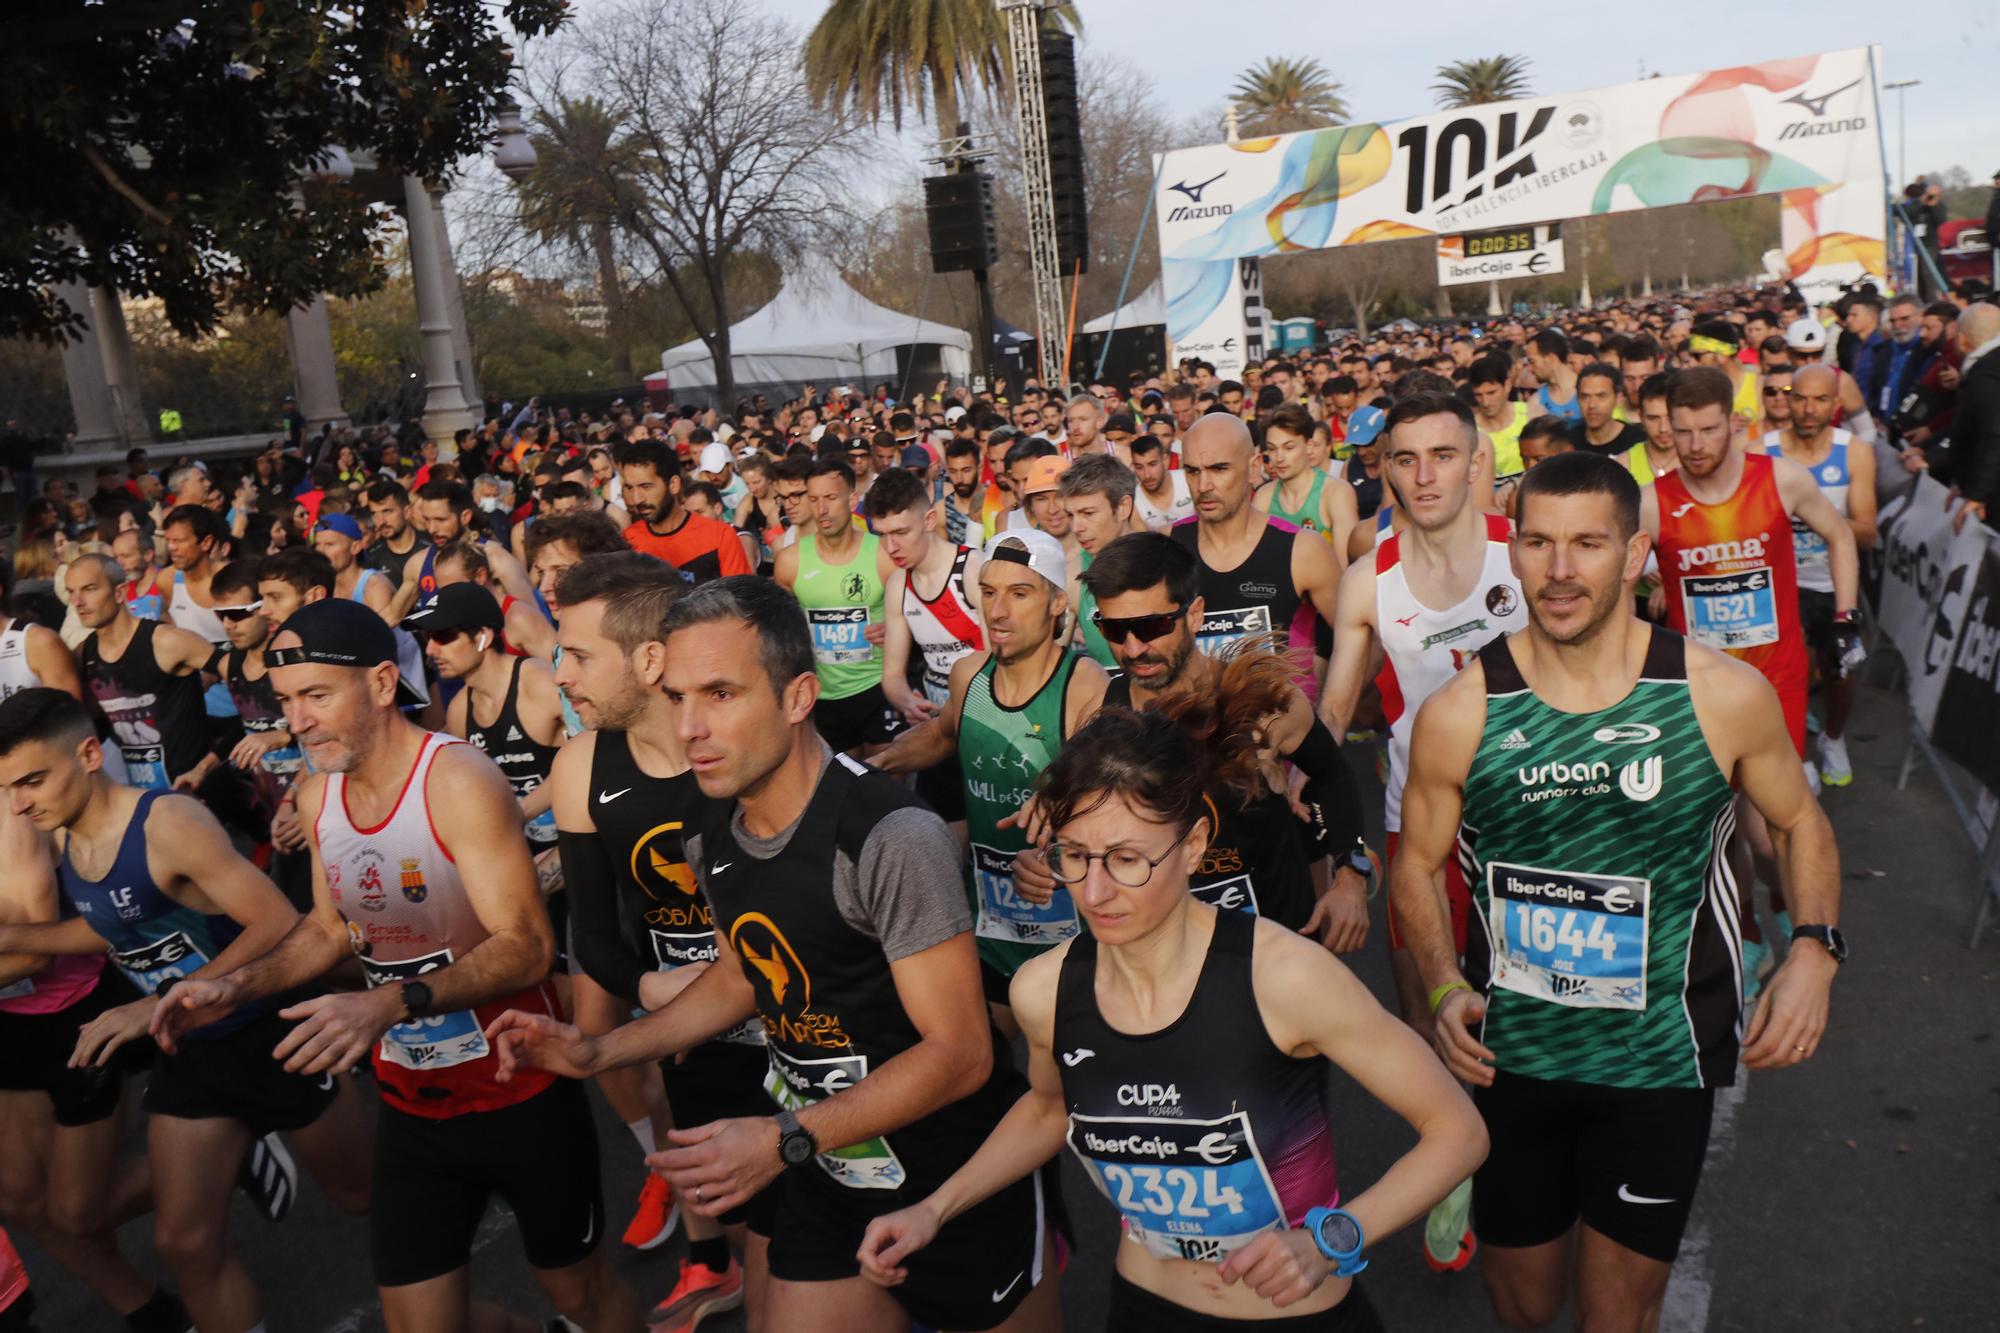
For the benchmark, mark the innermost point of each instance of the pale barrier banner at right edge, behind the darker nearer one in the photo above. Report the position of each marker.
(1927, 587)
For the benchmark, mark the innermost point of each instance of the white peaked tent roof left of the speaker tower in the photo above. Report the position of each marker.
(817, 329)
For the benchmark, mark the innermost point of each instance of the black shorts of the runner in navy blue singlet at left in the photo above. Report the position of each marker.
(235, 1078)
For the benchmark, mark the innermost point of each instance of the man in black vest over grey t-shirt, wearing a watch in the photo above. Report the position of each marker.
(847, 932)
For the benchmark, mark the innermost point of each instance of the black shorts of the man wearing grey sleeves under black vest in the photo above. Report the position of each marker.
(979, 1270)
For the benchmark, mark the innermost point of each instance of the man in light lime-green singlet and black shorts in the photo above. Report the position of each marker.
(839, 573)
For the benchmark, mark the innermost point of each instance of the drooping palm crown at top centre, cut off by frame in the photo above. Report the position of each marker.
(887, 55)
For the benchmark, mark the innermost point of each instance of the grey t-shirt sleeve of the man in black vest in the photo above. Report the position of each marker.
(909, 890)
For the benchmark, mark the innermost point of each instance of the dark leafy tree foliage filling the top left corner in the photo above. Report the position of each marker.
(169, 151)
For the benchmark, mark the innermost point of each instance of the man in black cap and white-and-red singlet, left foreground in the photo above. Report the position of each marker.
(449, 924)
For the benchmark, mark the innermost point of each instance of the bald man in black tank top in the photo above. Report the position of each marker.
(1255, 577)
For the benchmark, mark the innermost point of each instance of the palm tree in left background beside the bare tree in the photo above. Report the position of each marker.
(573, 197)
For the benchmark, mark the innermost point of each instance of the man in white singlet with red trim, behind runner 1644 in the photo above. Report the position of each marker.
(1425, 601)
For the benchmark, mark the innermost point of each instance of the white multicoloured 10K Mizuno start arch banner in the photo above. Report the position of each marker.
(1805, 129)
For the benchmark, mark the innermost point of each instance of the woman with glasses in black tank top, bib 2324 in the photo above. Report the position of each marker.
(1181, 1054)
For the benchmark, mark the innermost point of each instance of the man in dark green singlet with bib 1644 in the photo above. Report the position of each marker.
(1583, 772)
